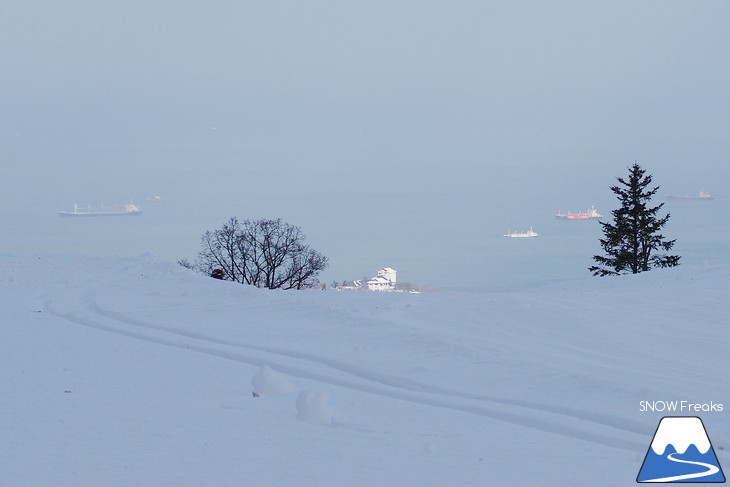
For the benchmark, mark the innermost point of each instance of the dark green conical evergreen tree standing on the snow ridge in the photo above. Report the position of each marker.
(632, 241)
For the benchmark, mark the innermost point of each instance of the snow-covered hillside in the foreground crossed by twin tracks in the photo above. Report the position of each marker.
(137, 372)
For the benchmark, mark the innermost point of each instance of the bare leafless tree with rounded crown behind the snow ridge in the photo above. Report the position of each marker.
(263, 253)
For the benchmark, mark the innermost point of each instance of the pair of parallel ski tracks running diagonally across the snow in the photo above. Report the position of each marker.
(552, 419)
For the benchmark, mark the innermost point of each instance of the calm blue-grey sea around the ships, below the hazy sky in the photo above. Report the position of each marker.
(436, 218)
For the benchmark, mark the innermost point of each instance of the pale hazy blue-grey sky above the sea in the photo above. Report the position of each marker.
(514, 76)
